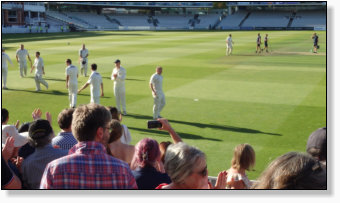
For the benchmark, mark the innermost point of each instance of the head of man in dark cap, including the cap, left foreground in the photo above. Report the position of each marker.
(40, 133)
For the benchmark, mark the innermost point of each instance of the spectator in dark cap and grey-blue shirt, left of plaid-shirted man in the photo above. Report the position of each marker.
(40, 136)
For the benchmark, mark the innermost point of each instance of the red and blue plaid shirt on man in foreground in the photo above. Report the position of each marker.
(89, 167)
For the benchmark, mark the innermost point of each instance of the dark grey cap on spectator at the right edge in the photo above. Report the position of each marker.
(318, 140)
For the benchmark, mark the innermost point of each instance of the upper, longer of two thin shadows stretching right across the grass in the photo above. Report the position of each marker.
(204, 125)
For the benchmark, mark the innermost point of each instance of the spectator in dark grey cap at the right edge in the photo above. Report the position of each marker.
(317, 145)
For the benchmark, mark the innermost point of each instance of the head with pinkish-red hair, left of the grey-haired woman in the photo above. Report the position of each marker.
(146, 153)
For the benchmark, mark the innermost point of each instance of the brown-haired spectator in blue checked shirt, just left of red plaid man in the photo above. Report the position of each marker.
(65, 139)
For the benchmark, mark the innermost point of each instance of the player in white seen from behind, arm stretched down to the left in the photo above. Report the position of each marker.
(96, 82)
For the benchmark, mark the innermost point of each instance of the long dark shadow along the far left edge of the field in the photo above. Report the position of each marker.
(26, 37)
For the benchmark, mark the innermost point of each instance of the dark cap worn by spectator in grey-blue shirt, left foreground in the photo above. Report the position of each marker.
(39, 129)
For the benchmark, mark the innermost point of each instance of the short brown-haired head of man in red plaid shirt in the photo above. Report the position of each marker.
(91, 123)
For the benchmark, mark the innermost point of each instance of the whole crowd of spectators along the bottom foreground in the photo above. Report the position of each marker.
(93, 151)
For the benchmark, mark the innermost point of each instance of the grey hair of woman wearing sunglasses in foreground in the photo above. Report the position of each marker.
(180, 160)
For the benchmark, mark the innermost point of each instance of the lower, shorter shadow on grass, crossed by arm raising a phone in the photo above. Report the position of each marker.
(166, 134)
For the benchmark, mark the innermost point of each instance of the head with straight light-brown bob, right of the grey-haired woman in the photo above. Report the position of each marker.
(244, 157)
